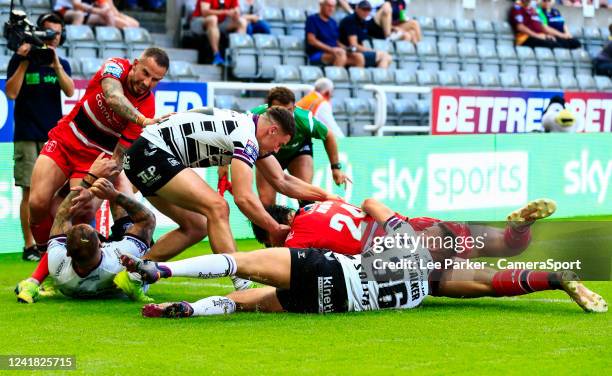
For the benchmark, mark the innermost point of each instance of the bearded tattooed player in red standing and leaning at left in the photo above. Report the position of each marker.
(117, 103)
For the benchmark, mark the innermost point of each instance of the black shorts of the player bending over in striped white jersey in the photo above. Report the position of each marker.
(148, 167)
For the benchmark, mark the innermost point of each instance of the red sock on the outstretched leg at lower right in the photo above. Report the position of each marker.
(514, 282)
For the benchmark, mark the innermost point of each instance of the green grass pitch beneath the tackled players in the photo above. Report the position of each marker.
(542, 333)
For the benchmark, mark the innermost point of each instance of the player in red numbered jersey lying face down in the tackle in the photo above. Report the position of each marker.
(336, 225)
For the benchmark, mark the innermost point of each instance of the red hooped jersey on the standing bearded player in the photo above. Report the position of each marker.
(94, 123)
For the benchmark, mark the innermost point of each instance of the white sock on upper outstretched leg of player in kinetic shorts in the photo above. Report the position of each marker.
(209, 266)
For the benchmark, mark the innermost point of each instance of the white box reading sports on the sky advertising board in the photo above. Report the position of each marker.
(476, 180)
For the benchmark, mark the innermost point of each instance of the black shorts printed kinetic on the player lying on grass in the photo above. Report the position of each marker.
(317, 283)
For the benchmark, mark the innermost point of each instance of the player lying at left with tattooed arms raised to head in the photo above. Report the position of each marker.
(80, 264)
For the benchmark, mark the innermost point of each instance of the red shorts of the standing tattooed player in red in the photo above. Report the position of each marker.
(68, 152)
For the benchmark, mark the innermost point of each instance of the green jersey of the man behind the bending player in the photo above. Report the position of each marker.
(306, 127)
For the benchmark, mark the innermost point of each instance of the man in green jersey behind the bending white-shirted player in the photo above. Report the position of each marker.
(296, 156)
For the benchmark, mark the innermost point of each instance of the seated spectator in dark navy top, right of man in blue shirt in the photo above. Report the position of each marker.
(354, 30)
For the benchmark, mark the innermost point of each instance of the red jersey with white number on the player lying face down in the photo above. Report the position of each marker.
(338, 226)
